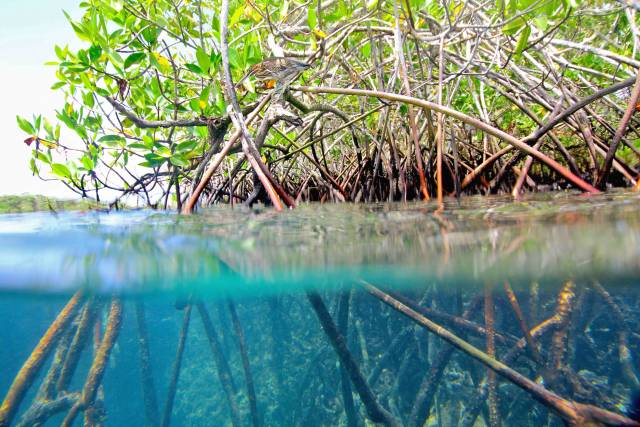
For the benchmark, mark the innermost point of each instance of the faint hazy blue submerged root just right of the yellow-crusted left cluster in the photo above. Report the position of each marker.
(148, 388)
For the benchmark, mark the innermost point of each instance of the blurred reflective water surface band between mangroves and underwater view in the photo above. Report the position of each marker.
(543, 237)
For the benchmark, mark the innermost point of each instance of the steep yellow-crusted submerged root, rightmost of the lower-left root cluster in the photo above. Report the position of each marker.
(96, 373)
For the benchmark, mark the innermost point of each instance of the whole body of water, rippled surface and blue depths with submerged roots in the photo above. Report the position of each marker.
(483, 311)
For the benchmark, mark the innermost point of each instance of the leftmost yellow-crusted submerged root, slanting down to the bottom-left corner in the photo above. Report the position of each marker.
(32, 366)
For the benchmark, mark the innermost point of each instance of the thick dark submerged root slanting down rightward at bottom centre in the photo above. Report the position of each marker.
(375, 411)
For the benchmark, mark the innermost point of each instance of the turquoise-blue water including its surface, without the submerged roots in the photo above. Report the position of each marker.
(266, 262)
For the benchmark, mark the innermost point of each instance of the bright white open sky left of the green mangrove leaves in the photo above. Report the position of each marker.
(29, 30)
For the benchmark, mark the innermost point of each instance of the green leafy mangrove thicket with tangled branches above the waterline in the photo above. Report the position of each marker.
(148, 99)
